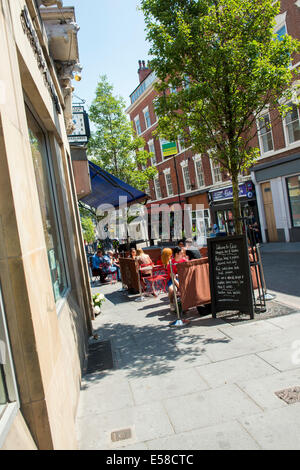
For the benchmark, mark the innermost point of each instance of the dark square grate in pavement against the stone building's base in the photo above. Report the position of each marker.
(100, 357)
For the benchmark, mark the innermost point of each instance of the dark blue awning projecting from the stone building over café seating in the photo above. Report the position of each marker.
(107, 189)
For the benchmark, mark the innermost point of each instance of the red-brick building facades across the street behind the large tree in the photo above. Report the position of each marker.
(187, 178)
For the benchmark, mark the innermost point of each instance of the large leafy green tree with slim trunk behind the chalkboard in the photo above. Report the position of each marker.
(227, 65)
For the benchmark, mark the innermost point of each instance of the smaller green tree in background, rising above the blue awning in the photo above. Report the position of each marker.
(113, 146)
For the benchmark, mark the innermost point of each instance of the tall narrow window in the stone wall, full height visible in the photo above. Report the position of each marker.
(49, 209)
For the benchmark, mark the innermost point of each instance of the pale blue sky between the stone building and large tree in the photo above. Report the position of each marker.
(111, 41)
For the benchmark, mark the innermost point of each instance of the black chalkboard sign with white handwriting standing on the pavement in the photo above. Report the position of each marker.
(229, 270)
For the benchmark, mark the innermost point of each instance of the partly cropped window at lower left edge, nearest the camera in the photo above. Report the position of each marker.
(9, 403)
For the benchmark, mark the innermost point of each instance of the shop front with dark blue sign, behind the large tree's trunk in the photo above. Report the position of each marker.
(221, 202)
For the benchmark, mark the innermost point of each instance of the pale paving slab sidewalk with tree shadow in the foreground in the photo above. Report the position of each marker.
(210, 385)
